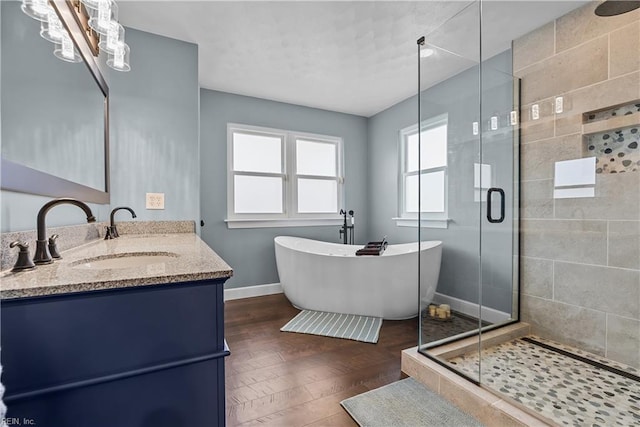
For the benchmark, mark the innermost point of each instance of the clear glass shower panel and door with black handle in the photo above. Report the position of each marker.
(468, 198)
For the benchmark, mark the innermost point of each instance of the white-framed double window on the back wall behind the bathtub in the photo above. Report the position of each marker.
(282, 178)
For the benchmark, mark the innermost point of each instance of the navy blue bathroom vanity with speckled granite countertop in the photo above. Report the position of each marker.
(122, 332)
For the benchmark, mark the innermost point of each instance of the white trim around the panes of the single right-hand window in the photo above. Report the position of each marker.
(427, 219)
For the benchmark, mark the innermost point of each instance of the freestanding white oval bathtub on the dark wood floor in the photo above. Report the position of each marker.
(329, 277)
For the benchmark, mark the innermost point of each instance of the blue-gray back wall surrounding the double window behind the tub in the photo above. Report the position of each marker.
(251, 251)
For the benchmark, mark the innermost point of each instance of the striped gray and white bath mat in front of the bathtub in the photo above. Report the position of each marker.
(348, 326)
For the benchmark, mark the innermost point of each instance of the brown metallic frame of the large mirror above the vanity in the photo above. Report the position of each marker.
(23, 179)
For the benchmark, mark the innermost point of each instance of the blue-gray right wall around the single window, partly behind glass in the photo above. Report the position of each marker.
(459, 97)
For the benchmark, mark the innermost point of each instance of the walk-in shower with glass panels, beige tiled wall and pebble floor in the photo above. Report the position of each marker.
(537, 206)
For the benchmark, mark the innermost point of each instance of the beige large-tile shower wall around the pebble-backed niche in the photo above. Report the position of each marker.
(580, 264)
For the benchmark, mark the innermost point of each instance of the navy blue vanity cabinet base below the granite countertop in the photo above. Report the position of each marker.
(147, 356)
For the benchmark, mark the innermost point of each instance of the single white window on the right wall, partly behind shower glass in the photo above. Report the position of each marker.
(428, 164)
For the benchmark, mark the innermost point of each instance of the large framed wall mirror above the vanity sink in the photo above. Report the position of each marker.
(55, 114)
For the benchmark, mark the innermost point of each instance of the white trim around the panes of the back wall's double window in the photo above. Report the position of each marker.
(289, 216)
